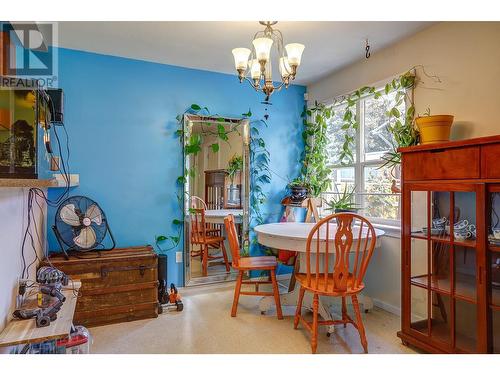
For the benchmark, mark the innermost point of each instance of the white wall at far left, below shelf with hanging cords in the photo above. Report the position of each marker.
(13, 218)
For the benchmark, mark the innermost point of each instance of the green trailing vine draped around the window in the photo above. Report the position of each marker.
(315, 173)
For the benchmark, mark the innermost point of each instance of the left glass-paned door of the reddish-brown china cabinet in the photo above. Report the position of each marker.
(443, 267)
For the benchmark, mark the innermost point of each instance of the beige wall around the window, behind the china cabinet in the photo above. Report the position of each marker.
(466, 57)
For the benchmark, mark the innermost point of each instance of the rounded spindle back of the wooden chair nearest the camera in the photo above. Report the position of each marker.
(349, 237)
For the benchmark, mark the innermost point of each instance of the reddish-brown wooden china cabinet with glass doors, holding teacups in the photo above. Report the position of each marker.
(451, 272)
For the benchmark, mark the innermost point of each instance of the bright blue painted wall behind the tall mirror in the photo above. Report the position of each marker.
(120, 116)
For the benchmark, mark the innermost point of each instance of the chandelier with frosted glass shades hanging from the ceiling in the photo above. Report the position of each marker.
(256, 63)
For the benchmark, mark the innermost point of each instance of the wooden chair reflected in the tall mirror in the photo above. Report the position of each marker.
(206, 239)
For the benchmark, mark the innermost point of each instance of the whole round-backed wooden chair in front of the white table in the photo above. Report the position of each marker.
(350, 238)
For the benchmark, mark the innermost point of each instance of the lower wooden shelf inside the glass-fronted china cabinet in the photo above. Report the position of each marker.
(465, 286)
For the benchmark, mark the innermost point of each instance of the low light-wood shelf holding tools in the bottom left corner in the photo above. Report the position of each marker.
(25, 331)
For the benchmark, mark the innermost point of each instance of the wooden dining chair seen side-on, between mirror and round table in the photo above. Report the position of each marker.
(261, 263)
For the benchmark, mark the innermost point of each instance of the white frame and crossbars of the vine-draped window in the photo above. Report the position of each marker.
(391, 225)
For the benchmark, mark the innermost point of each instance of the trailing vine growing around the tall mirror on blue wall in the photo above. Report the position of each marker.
(259, 167)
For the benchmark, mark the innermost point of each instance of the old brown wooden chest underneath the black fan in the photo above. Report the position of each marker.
(117, 286)
